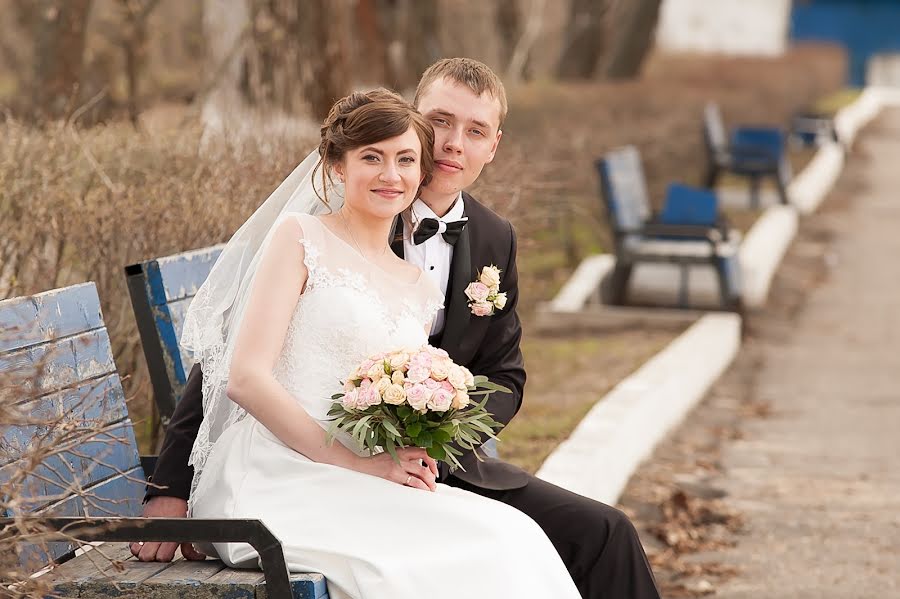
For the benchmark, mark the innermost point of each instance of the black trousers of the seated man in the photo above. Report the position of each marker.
(598, 543)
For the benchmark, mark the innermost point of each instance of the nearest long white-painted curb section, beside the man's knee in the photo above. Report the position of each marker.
(621, 430)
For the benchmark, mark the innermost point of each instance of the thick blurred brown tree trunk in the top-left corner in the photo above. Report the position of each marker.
(59, 37)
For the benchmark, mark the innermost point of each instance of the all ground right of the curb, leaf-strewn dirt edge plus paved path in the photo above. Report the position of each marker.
(768, 489)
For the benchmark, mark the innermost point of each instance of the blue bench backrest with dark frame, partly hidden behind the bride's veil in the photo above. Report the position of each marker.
(161, 291)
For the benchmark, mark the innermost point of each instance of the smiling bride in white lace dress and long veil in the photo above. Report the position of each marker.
(304, 291)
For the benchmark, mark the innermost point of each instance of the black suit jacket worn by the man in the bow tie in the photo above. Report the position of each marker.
(486, 345)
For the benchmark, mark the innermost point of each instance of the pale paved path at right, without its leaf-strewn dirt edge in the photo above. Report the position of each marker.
(819, 480)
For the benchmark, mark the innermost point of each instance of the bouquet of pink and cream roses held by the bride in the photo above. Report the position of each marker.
(417, 398)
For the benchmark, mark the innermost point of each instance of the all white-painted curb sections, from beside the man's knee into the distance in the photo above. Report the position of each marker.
(625, 426)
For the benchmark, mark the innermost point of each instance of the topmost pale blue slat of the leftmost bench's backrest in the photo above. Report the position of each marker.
(36, 319)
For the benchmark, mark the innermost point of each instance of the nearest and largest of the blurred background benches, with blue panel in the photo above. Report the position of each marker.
(688, 231)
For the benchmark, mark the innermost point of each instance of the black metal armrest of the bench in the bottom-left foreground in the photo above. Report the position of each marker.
(180, 530)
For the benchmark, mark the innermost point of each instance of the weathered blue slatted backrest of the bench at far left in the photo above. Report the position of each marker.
(55, 354)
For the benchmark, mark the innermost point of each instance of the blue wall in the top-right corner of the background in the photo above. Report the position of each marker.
(864, 27)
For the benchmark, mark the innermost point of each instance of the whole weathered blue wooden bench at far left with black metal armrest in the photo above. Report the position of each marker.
(72, 464)
